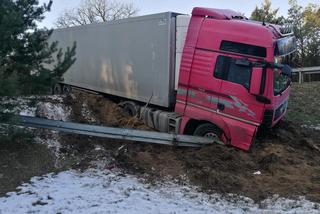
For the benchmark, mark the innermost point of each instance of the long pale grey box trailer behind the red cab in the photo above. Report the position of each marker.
(136, 58)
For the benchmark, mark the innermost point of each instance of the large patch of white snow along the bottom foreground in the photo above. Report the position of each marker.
(105, 191)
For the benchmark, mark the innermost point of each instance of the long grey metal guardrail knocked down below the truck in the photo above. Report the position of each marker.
(108, 132)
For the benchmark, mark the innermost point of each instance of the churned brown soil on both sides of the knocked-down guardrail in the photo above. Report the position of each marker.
(286, 156)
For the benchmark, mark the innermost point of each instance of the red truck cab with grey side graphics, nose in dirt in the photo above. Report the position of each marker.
(232, 80)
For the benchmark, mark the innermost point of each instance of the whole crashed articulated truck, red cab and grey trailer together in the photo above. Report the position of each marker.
(215, 73)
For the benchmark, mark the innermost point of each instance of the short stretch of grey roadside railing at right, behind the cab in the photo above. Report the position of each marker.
(312, 74)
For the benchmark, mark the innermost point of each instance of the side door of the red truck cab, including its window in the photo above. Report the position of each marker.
(236, 103)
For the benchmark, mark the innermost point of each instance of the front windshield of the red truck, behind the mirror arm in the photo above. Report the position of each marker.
(281, 81)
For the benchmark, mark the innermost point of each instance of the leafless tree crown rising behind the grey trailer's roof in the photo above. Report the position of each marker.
(95, 11)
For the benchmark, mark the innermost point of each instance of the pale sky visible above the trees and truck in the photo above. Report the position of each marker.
(181, 6)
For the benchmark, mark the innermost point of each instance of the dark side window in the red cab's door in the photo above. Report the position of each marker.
(227, 69)
